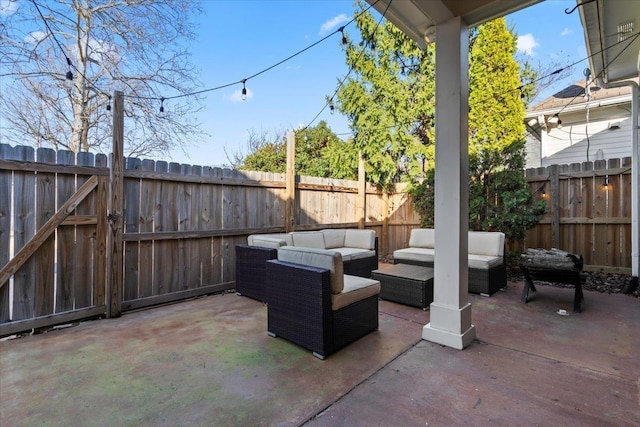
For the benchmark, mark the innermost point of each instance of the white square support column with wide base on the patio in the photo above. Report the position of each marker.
(450, 316)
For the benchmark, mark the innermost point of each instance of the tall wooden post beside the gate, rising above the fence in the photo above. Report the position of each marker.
(114, 241)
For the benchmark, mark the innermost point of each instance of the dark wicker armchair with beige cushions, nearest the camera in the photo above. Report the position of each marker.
(312, 303)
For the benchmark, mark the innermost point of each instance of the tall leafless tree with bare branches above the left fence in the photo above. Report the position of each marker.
(129, 45)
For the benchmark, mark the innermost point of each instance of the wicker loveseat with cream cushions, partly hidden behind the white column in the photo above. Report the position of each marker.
(487, 267)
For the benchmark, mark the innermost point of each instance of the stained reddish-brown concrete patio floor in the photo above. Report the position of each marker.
(209, 362)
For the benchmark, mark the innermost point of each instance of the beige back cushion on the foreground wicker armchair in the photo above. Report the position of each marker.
(321, 258)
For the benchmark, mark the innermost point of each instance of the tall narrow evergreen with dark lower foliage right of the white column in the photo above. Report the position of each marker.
(499, 199)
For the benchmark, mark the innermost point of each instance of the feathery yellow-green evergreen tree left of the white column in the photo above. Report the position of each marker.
(388, 98)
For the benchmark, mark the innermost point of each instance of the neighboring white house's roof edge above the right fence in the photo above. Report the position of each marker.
(572, 98)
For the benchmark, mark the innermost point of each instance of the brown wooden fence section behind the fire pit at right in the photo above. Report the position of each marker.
(588, 211)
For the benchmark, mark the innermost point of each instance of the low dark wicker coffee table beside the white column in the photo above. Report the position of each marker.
(406, 284)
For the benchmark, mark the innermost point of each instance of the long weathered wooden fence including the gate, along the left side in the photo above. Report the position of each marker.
(179, 227)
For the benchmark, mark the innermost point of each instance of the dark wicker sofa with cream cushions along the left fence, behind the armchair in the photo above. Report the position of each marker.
(358, 248)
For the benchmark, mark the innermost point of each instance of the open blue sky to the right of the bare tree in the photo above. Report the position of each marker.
(240, 38)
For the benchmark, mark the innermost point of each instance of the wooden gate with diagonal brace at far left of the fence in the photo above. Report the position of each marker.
(52, 237)
